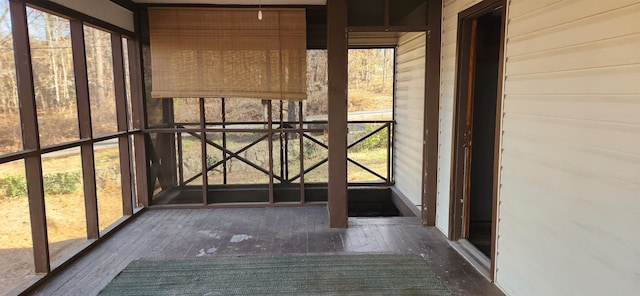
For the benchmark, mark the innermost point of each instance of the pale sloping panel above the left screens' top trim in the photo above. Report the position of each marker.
(104, 10)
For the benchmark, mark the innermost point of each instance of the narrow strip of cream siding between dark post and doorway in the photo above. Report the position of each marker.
(450, 12)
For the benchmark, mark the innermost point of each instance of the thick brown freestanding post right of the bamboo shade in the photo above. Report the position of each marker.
(337, 57)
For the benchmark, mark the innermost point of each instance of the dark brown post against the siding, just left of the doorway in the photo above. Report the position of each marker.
(431, 115)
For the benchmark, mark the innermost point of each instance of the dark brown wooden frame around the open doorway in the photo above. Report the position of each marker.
(457, 190)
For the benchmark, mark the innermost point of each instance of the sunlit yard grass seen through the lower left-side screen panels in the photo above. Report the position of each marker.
(64, 199)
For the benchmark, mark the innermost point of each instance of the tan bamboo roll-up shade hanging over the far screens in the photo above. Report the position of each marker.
(217, 52)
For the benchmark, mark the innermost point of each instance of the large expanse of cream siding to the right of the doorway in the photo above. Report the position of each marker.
(570, 178)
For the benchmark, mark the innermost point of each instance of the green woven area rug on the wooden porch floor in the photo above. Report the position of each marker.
(283, 275)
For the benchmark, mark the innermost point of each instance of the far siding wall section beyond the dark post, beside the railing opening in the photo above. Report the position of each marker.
(409, 106)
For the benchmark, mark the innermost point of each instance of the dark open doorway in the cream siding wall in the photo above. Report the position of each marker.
(478, 93)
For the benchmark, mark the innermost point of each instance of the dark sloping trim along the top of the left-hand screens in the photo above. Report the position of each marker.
(65, 12)
